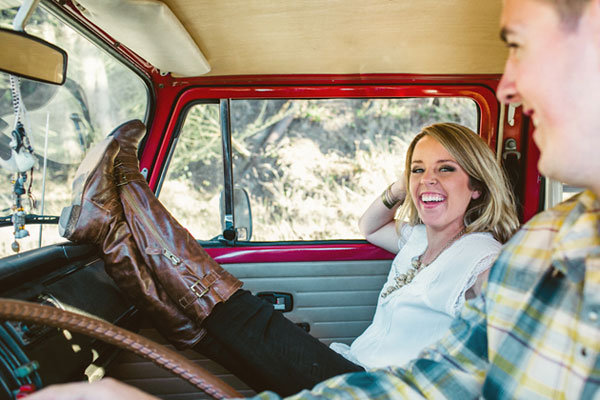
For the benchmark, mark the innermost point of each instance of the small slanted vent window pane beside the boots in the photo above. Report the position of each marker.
(194, 179)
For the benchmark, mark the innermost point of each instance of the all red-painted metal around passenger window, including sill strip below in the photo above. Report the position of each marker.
(174, 95)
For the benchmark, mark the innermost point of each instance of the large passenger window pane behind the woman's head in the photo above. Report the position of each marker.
(311, 167)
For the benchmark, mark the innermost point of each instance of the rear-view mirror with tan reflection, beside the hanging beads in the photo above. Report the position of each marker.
(31, 57)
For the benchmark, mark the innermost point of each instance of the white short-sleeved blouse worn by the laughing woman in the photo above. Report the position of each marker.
(418, 314)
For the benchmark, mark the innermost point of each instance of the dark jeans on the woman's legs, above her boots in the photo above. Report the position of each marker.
(265, 349)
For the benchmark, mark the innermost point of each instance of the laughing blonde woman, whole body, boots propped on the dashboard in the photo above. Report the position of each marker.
(458, 199)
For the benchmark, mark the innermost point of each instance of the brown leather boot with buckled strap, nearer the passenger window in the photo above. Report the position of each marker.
(192, 278)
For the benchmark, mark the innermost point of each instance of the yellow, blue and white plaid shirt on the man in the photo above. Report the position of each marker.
(534, 335)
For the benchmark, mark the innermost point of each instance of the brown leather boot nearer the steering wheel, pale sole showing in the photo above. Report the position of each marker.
(96, 216)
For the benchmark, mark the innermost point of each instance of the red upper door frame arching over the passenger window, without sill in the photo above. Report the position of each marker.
(173, 97)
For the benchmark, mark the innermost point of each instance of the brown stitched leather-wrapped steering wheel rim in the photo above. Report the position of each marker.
(18, 310)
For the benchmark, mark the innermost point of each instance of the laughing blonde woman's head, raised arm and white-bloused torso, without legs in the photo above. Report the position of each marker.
(450, 228)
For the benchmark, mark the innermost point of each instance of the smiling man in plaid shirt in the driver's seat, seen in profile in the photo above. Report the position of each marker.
(536, 333)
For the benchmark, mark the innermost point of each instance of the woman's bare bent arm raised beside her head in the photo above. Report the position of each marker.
(377, 223)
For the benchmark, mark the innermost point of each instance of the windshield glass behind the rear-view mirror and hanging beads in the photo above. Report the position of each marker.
(62, 123)
